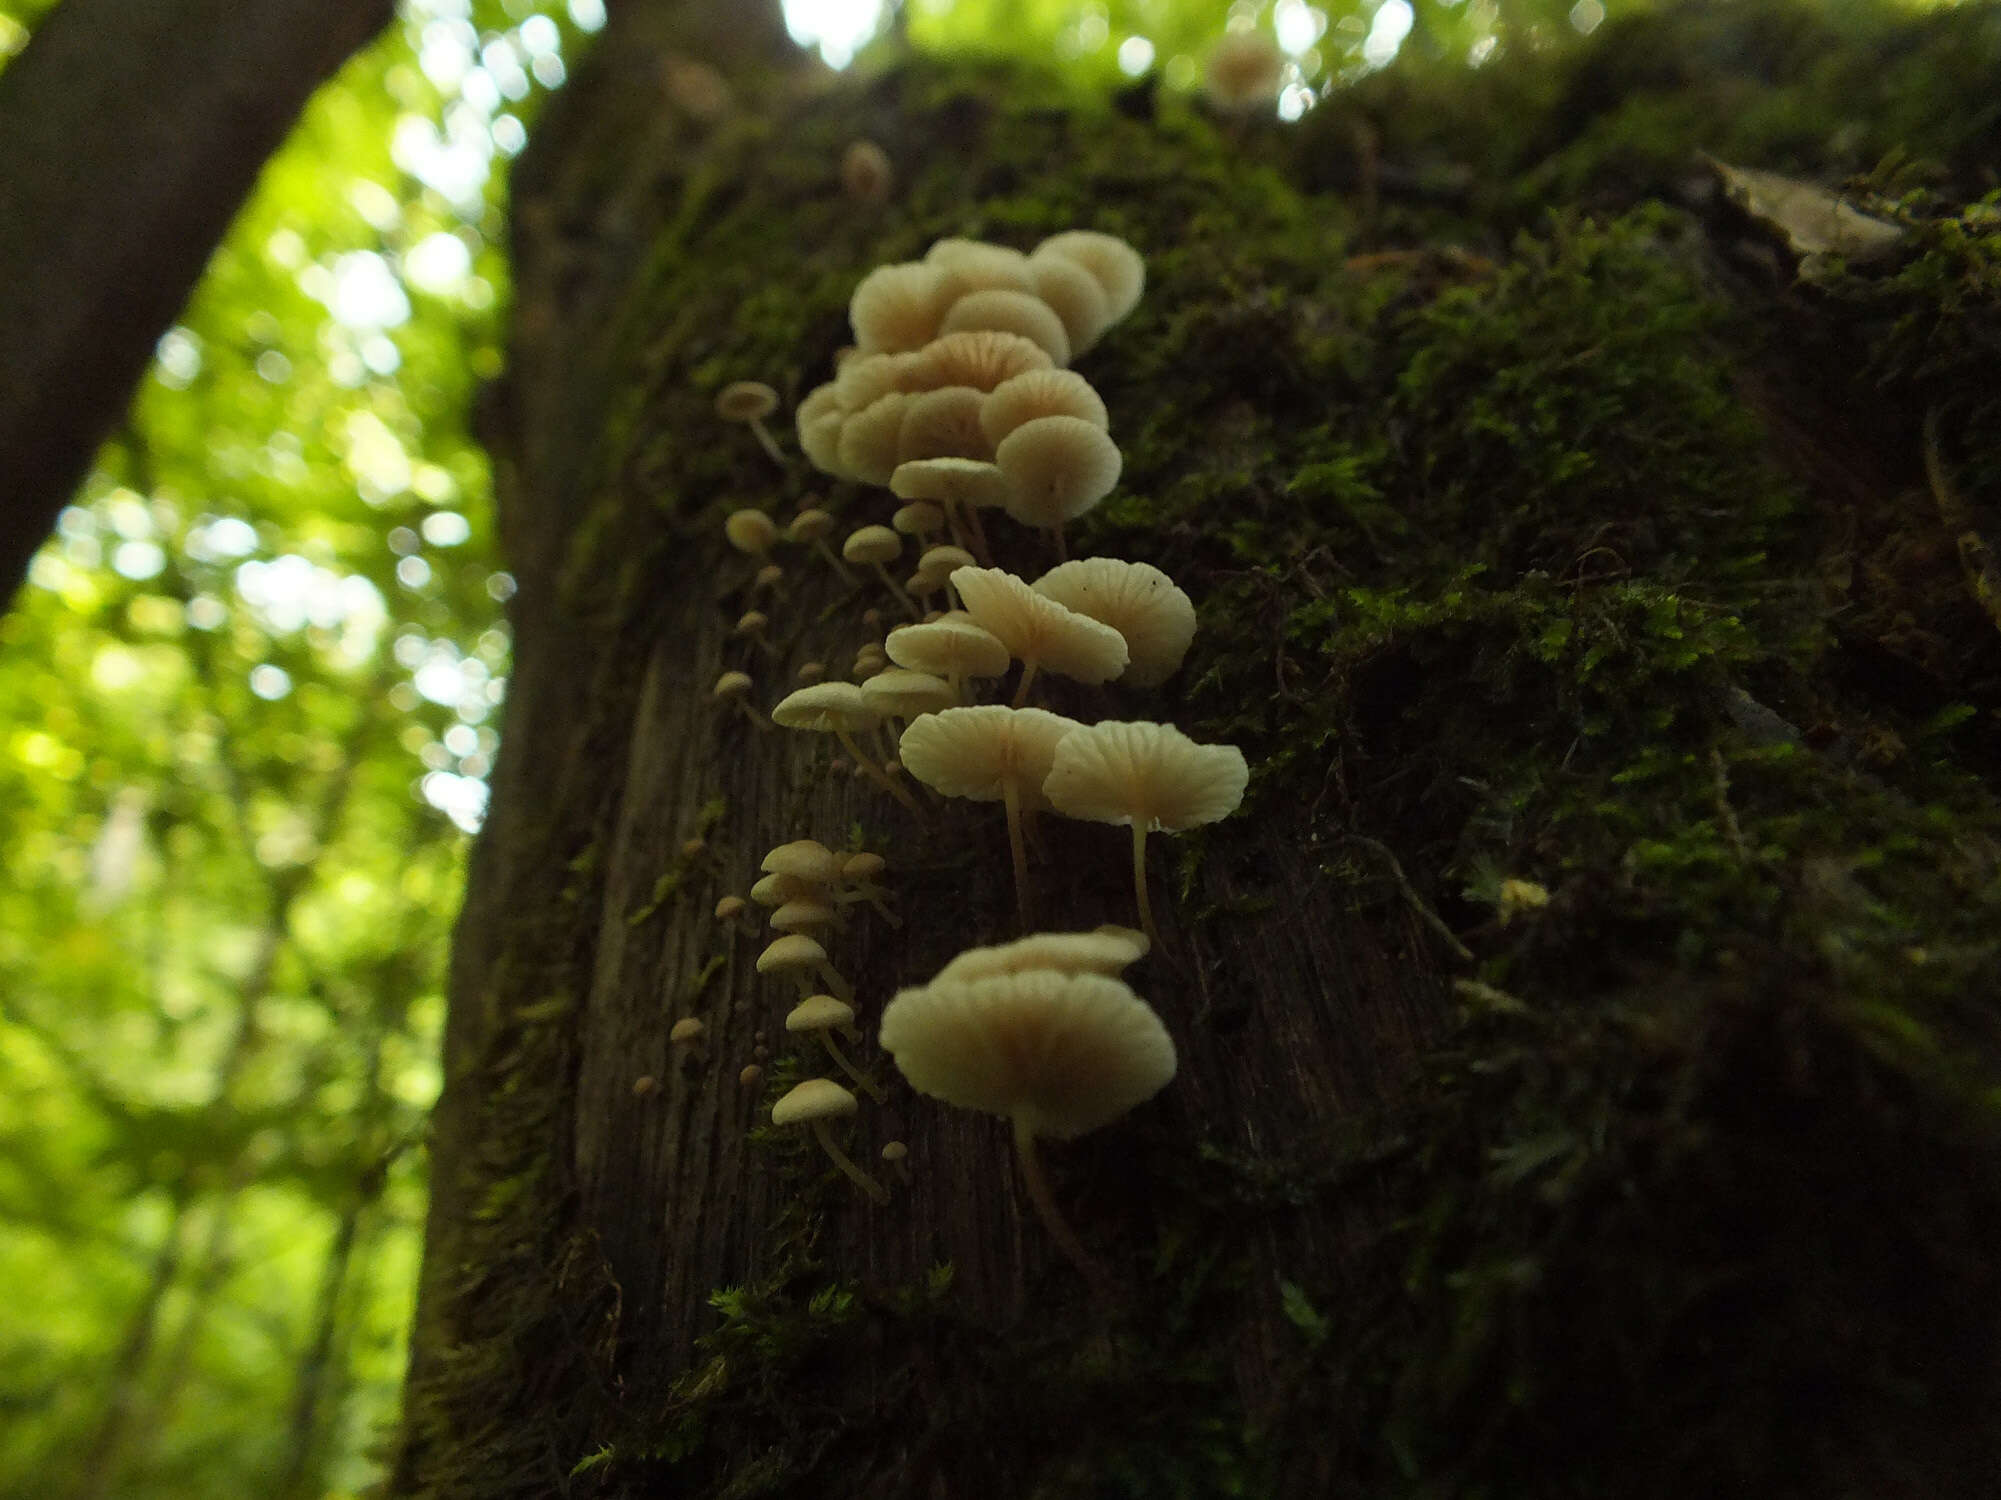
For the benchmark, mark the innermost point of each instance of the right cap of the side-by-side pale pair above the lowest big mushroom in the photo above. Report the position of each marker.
(1142, 773)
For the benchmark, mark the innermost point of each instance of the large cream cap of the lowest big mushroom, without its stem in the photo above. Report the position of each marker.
(1058, 1053)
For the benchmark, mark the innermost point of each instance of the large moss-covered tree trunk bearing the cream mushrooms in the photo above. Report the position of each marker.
(1588, 1027)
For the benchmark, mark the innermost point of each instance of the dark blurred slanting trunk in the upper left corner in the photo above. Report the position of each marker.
(135, 129)
